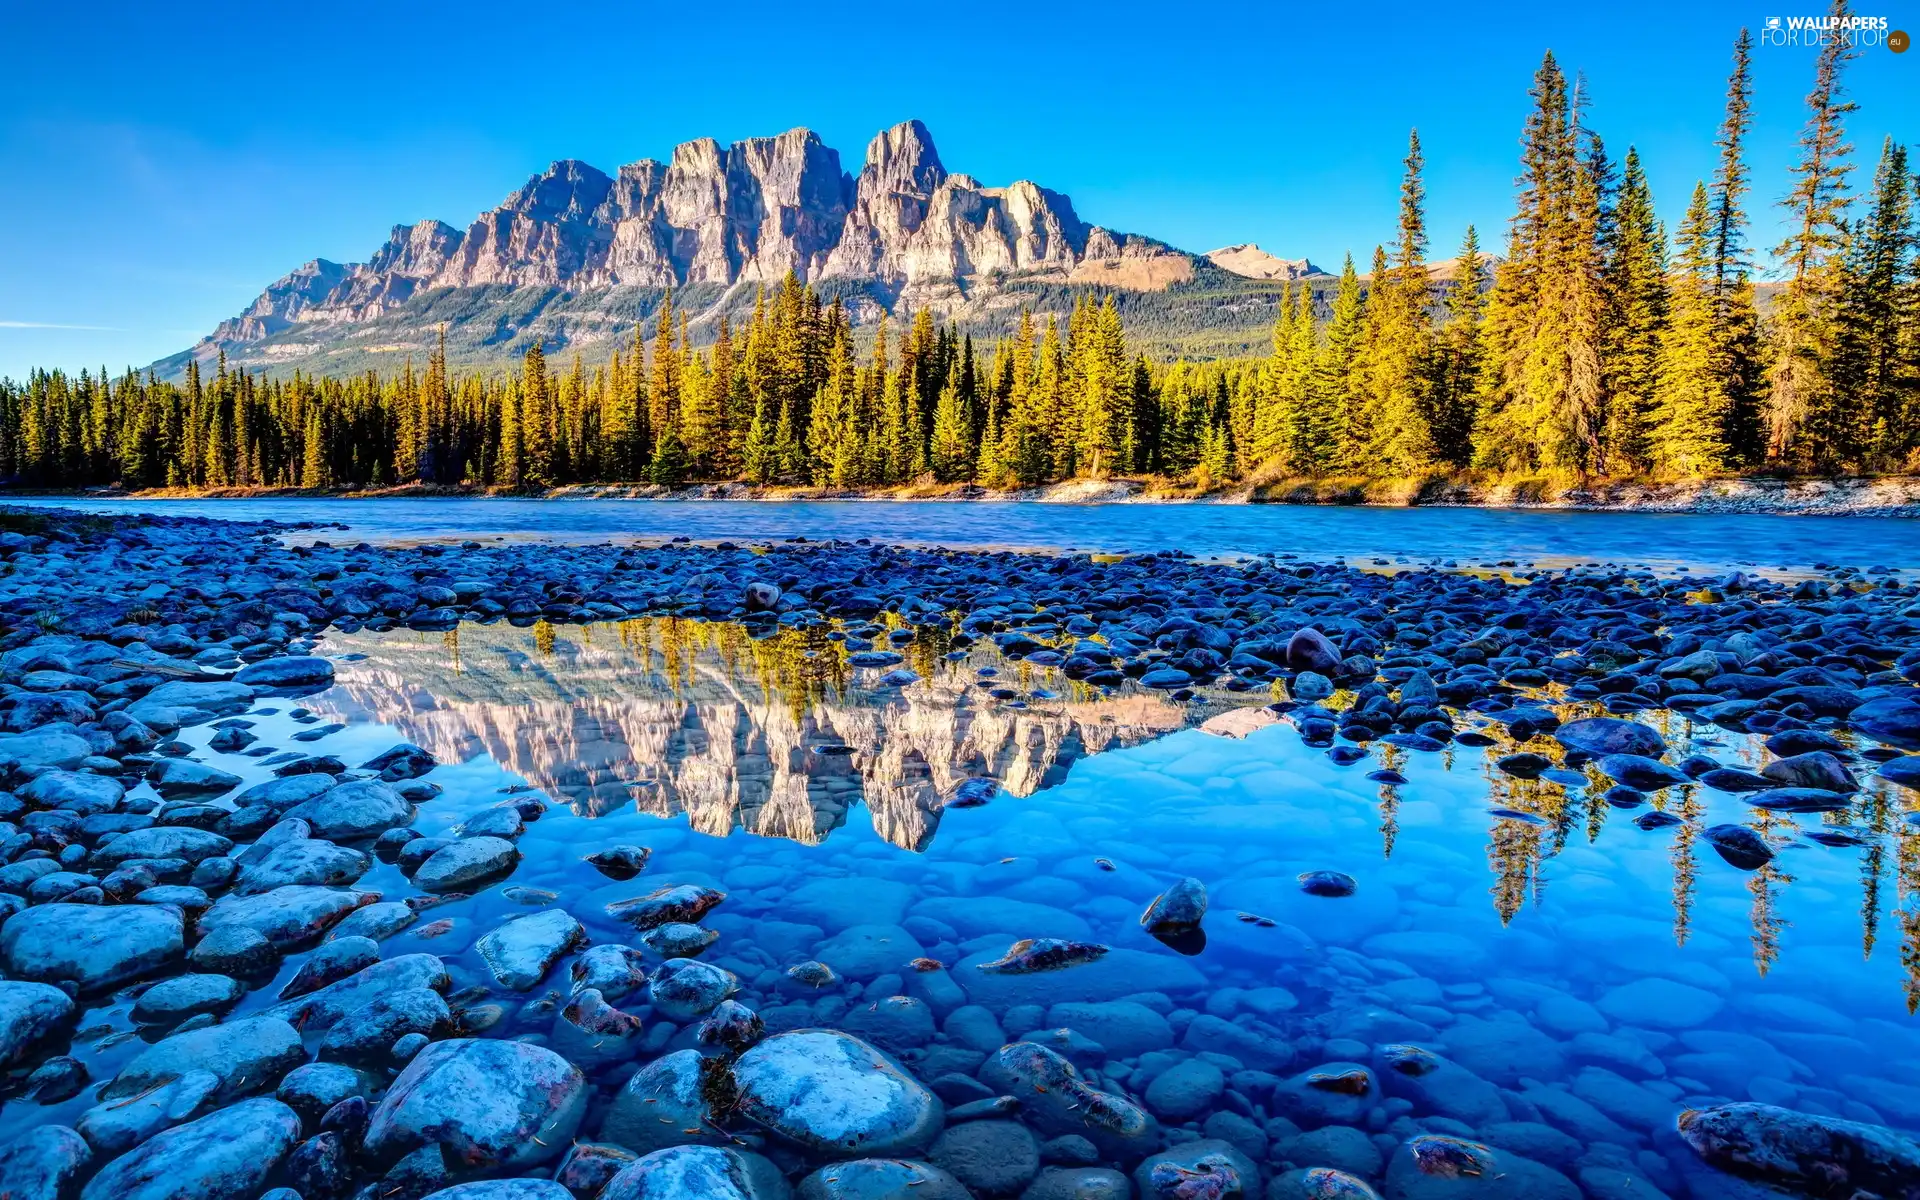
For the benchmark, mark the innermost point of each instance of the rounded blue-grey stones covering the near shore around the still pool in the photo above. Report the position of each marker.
(652, 1042)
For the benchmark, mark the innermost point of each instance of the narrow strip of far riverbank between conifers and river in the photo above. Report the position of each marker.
(1842, 496)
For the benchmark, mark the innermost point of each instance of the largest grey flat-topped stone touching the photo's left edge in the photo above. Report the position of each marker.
(89, 946)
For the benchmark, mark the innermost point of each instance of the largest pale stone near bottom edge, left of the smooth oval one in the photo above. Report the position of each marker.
(489, 1105)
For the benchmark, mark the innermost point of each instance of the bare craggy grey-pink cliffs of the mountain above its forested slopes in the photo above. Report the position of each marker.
(742, 214)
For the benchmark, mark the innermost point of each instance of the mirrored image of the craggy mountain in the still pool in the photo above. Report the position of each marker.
(777, 736)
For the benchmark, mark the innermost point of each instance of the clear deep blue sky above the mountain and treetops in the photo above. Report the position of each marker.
(162, 164)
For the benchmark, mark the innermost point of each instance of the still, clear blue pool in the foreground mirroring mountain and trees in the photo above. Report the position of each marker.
(1604, 974)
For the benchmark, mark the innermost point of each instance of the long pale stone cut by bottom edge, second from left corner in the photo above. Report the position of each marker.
(226, 1155)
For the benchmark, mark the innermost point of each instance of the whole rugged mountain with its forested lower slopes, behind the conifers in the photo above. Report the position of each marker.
(579, 256)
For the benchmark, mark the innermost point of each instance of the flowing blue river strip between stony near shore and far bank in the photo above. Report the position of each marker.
(1662, 540)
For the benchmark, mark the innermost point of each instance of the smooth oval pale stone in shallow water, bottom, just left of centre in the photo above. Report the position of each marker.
(836, 1095)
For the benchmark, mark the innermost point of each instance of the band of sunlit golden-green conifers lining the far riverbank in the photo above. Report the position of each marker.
(1596, 345)
